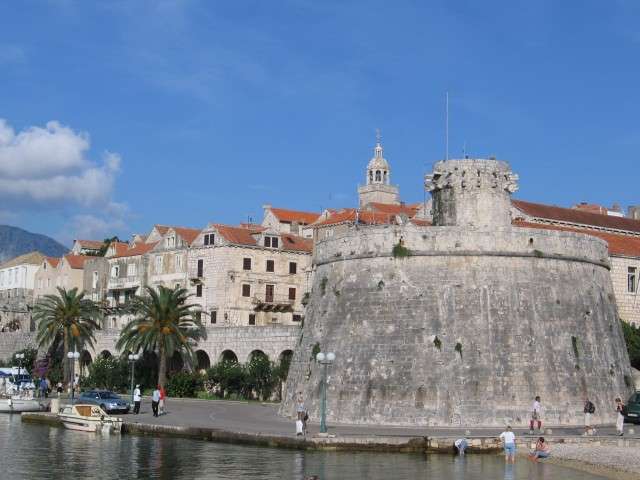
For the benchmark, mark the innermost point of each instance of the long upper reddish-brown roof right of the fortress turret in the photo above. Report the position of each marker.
(580, 217)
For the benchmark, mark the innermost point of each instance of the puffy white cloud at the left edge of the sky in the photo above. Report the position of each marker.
(50, 165)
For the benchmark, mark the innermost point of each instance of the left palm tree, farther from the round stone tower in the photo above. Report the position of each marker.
(66, 317)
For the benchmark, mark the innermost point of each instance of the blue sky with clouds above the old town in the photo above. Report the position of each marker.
(117, 115)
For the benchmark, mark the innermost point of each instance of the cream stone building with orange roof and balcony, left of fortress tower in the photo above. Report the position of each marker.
(250, 275)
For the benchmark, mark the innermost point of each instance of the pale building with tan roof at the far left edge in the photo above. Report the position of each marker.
(17, 280)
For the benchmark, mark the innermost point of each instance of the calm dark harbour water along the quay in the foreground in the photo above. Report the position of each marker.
(43, 452)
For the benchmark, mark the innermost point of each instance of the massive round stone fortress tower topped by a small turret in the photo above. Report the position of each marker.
(463, 322)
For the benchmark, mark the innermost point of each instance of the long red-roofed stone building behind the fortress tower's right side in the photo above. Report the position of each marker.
(621, 234)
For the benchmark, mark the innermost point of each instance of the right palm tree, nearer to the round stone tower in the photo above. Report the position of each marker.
(164, 323)
